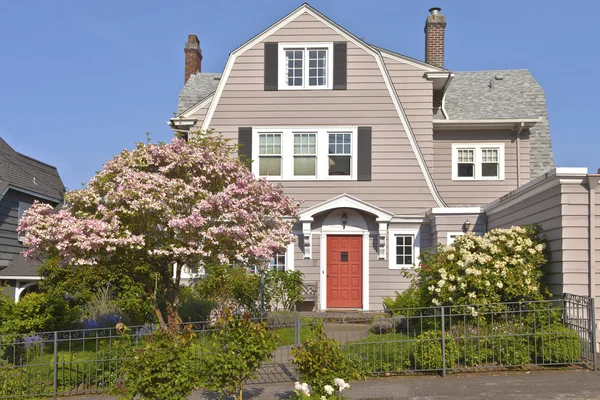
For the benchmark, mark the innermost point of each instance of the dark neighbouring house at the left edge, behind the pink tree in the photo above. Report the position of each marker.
(22, 181)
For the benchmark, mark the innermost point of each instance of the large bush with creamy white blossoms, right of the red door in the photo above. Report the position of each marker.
(504, 265)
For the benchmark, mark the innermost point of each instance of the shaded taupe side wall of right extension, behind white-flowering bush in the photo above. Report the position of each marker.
(543, 209)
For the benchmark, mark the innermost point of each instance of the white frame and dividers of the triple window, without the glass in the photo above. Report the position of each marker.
(321, 151)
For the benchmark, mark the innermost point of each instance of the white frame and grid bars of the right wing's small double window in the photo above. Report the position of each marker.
(461, 153)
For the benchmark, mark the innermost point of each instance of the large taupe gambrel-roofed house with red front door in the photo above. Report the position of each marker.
(389, 154)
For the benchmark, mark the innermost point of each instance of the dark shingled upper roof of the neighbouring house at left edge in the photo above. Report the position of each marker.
(19, 171)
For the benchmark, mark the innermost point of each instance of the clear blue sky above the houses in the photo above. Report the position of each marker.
(82, 80)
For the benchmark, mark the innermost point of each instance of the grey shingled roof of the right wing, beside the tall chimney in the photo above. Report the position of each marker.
(500, 94)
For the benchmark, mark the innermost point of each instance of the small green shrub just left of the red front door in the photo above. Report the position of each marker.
(283, 289)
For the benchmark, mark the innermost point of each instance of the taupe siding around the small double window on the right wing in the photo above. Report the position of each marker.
(477, 193)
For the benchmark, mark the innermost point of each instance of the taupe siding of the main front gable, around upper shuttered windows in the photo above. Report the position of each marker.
(397, 182)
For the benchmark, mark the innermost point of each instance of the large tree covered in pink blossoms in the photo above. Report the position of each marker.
(153, 210)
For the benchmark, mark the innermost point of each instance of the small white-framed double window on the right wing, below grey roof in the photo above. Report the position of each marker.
(478, 161)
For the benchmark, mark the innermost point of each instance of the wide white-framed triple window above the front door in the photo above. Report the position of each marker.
(324, 153)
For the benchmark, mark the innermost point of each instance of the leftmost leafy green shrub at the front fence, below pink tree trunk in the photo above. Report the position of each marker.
(160, 367)
